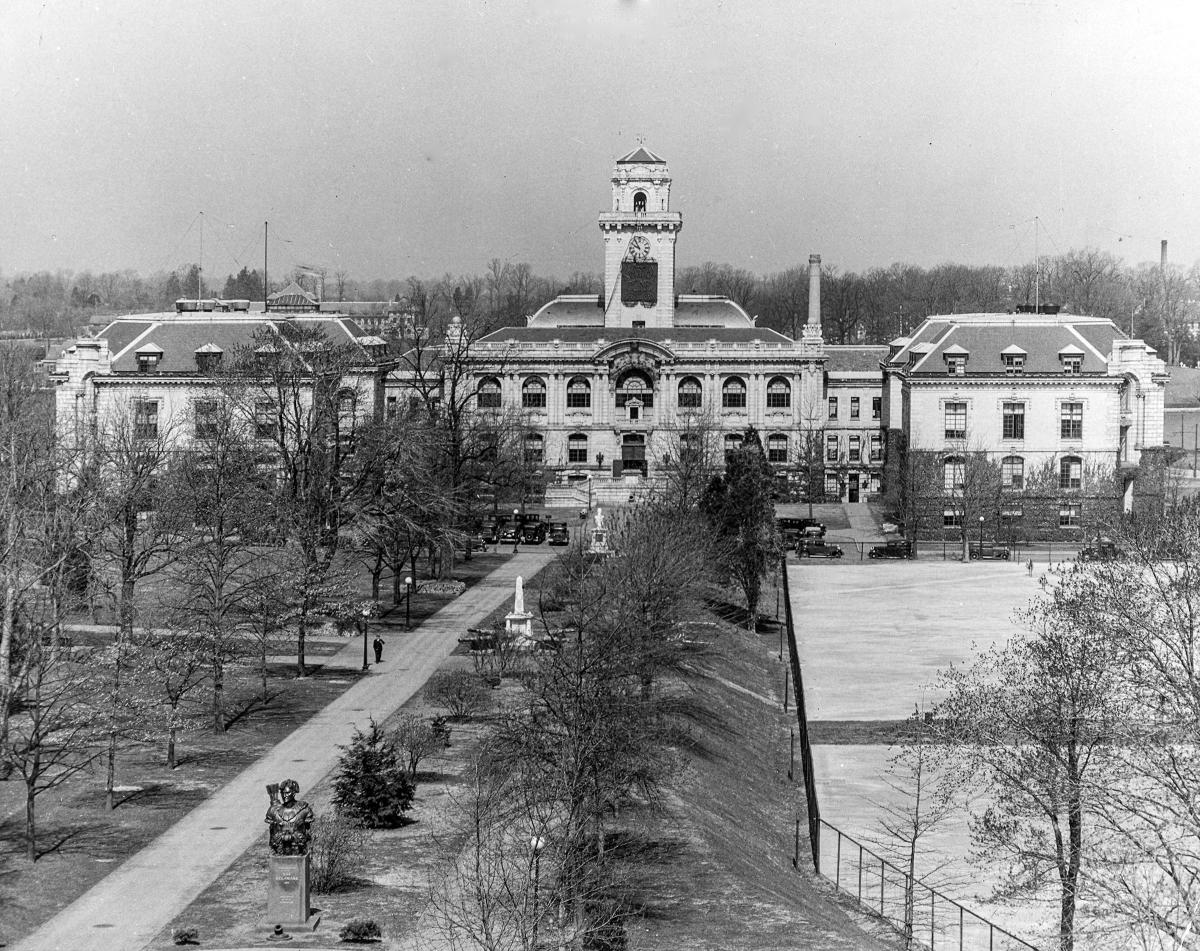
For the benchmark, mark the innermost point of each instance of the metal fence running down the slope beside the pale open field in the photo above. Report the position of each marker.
(881, 888)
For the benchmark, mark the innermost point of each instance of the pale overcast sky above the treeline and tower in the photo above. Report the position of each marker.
(397, 139)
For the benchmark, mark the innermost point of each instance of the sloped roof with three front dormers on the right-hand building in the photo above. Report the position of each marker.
(988, 337)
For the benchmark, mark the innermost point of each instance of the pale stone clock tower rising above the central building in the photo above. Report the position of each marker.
(639, 236)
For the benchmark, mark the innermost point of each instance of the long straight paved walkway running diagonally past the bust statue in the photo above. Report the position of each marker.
(137, 900)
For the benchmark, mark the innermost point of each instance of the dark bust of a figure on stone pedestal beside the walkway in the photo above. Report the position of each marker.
(291, 822)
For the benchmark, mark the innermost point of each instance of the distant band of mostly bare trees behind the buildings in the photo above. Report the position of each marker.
(872, 307)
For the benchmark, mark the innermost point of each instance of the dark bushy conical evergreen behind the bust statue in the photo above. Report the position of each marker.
(373, 788)
